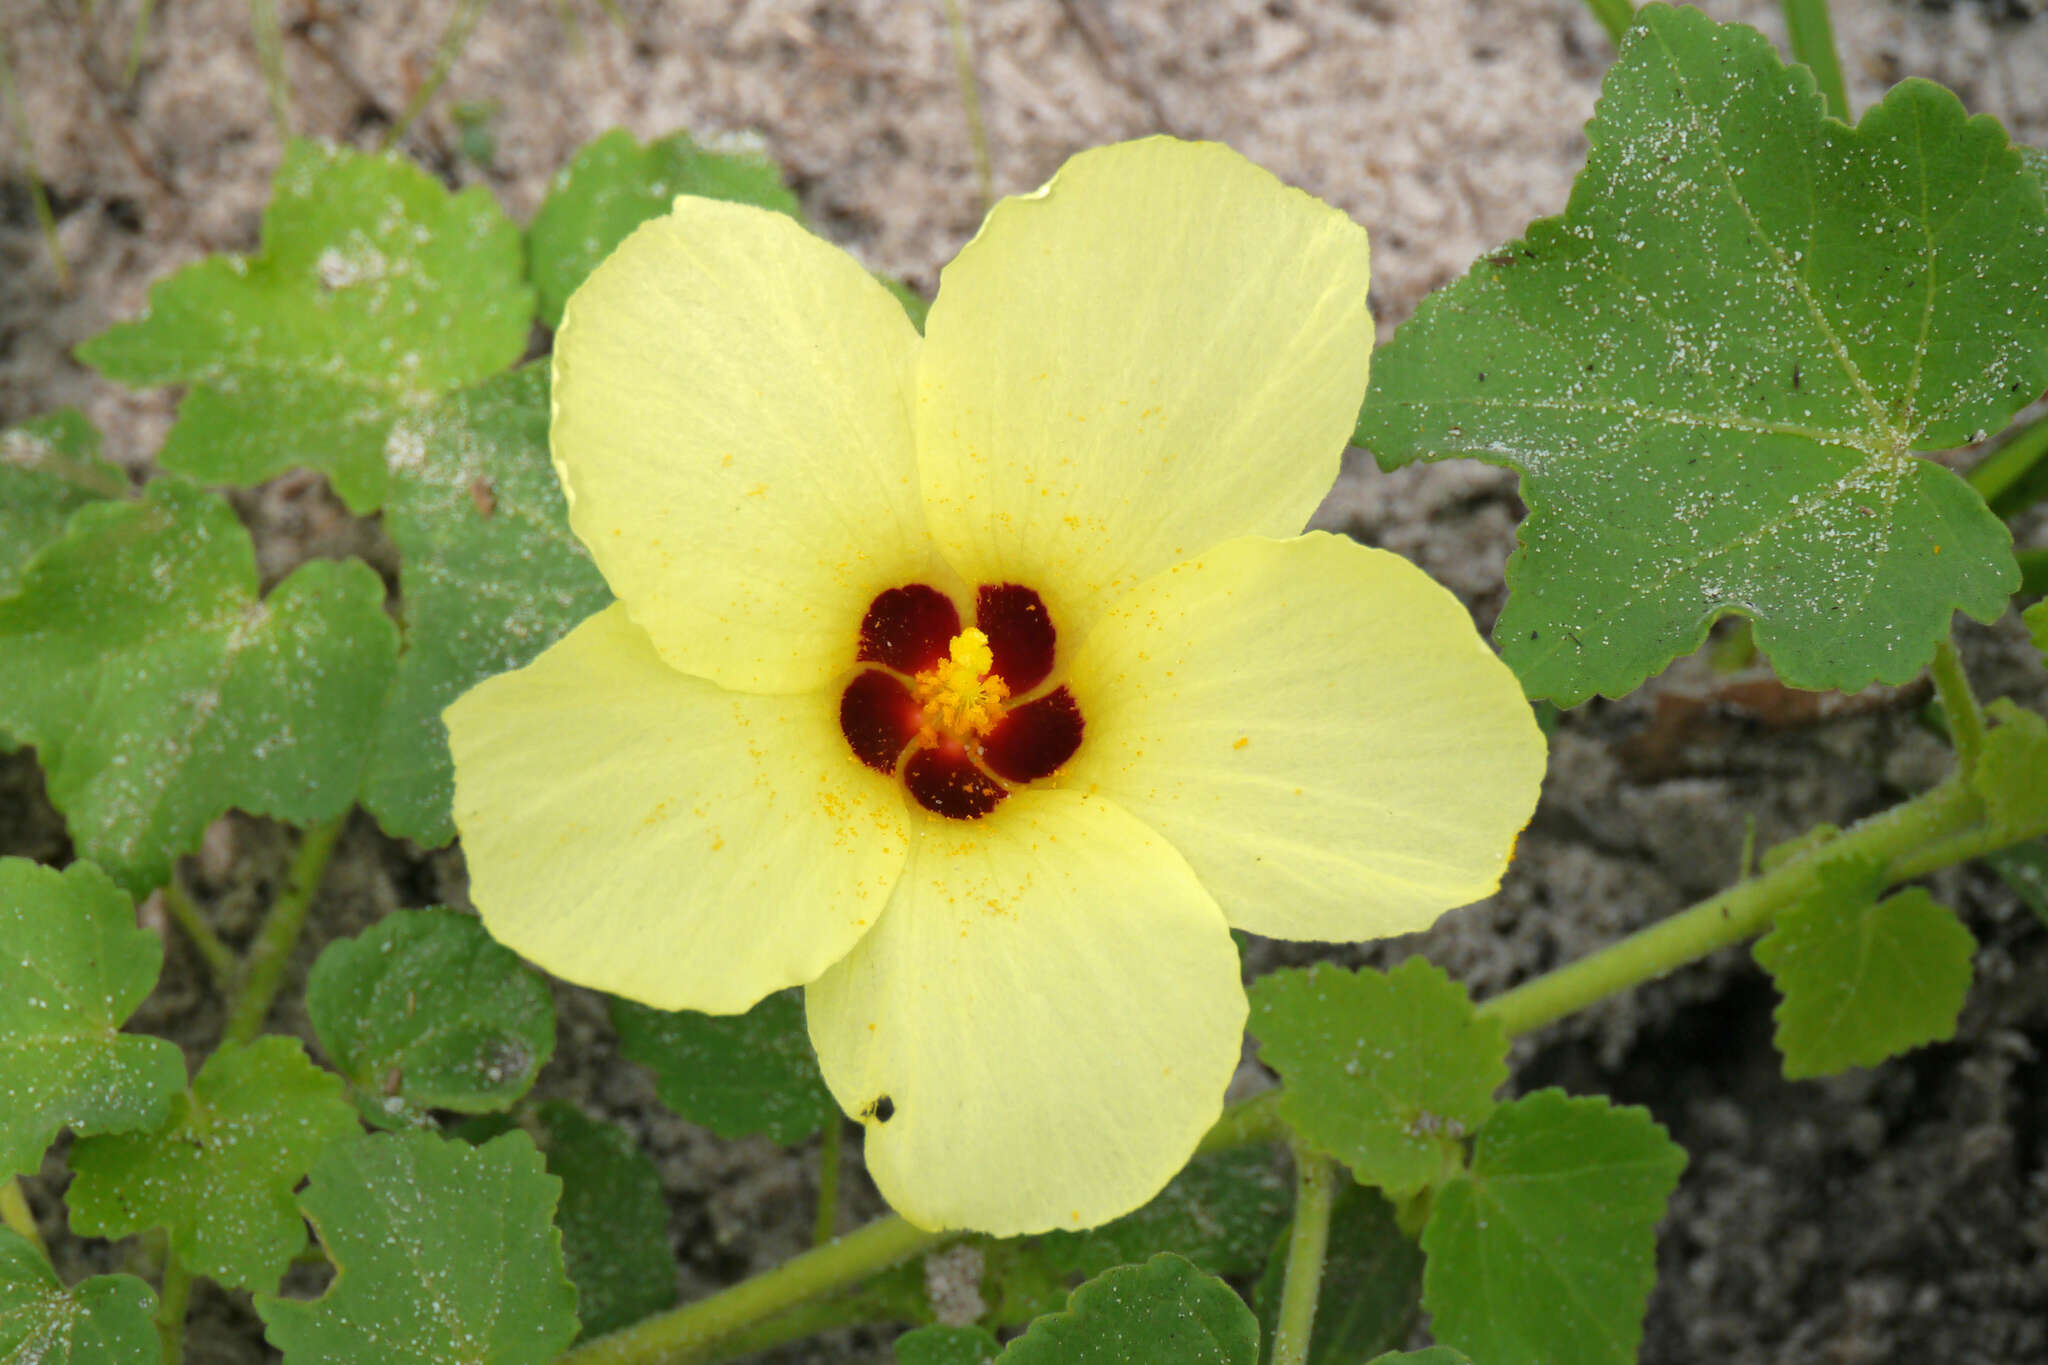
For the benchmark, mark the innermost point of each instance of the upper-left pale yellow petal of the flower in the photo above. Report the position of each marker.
(732, 429)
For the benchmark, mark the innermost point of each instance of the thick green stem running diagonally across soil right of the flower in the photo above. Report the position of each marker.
(1893, 840)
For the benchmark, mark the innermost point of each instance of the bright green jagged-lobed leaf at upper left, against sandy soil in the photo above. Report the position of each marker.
(374, 292)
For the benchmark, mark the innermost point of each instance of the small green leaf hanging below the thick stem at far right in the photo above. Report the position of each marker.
(1863, 979)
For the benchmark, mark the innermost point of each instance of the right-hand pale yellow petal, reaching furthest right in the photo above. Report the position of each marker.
(1320, 730)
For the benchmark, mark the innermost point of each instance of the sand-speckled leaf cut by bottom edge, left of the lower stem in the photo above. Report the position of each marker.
(443, 1253)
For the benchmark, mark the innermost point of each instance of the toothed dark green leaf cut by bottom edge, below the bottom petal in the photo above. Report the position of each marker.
(1162, 1313)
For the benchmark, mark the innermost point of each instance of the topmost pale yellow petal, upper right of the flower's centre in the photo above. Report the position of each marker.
(1158, 351)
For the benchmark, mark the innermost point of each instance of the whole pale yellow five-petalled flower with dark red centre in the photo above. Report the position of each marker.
(980, 682)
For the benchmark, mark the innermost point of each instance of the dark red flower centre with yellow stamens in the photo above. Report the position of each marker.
(951, 709)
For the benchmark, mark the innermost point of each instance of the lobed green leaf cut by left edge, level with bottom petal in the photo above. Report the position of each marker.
(73, 969)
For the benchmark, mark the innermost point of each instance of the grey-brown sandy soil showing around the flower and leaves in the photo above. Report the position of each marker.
(1883, 1217)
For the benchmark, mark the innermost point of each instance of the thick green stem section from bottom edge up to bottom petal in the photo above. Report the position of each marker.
(693, 1331)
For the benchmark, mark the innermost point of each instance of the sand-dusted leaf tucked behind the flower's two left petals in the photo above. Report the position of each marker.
(488, 574)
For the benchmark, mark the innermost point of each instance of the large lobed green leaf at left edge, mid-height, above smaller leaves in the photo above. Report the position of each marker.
(163, 693)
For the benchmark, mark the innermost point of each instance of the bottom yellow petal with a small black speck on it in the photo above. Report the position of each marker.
(1041, 1026)
